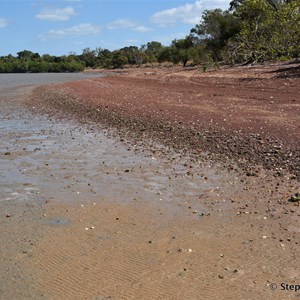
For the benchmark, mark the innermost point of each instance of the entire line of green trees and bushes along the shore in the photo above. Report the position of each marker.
(250, 31)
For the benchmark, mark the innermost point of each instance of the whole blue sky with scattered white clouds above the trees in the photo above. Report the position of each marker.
(61, 27)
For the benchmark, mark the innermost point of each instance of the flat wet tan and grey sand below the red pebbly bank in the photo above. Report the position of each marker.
(88, 214)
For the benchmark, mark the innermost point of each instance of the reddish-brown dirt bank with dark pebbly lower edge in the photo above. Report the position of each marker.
(250, 114)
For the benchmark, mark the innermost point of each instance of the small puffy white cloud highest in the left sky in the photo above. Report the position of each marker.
(56, 14)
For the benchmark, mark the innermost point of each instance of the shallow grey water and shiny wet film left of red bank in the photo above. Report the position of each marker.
(43, 158)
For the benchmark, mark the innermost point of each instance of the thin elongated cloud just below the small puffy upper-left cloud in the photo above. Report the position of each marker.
(80, 29)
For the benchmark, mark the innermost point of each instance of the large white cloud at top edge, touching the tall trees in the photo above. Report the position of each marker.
(190, 13)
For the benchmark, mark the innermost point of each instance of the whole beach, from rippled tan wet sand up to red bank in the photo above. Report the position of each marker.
(152, 183)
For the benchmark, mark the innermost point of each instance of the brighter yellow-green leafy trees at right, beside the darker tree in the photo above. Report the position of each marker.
(268, 32)
